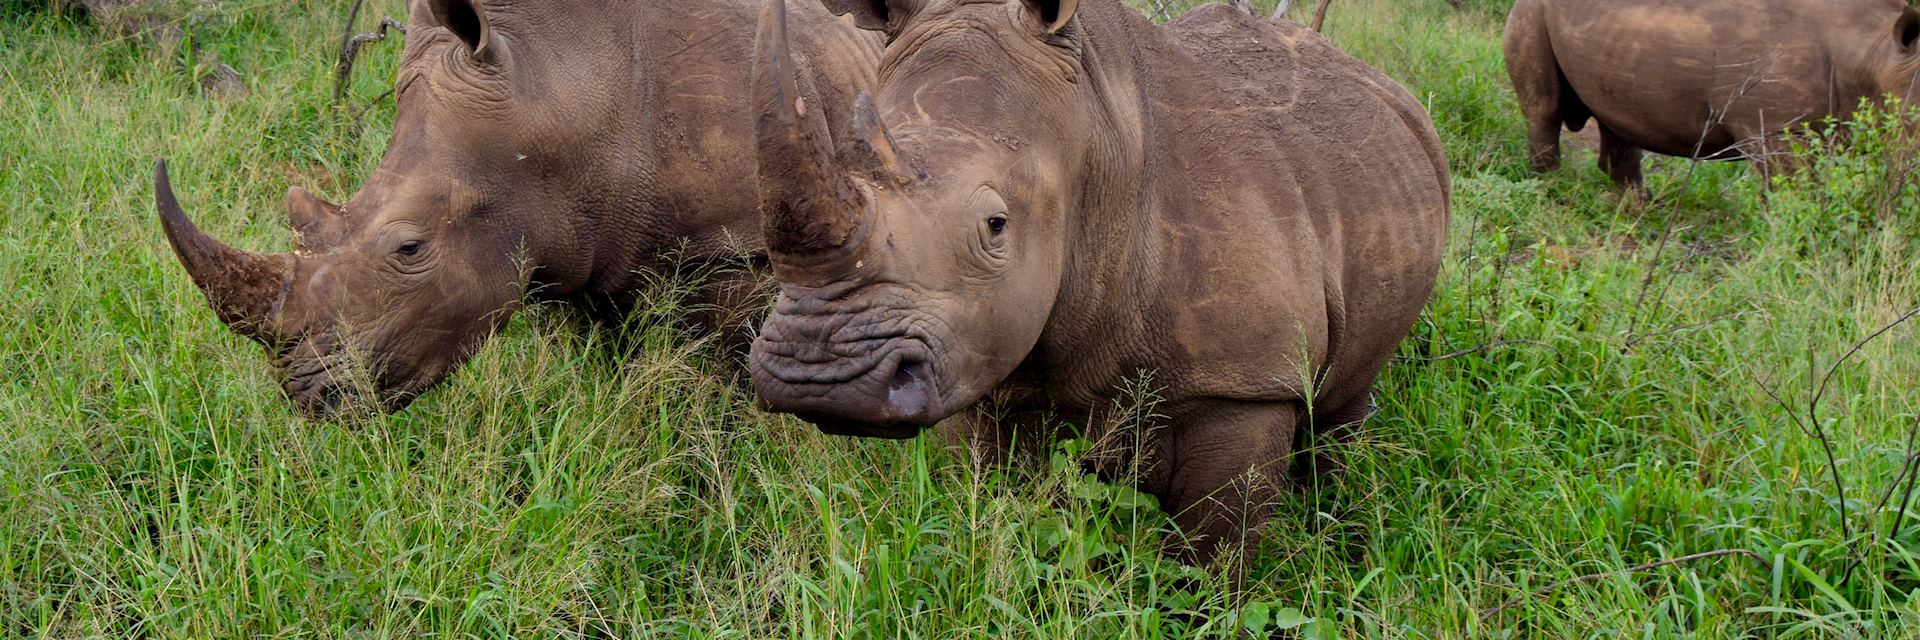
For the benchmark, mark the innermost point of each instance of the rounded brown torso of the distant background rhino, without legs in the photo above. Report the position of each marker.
(1696, 78)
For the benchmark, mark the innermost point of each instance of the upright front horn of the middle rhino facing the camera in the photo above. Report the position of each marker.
(805, 205)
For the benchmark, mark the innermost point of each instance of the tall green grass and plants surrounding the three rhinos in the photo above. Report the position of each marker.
(1589, 393)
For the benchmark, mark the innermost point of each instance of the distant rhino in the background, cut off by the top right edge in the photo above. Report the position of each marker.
(1714, 80)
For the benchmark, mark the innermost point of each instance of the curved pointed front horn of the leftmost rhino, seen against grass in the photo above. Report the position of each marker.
(245, 289)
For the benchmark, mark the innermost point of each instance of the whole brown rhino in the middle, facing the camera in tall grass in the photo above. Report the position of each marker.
(1047, 199)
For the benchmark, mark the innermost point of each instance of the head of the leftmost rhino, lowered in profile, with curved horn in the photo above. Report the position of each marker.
(402, 283)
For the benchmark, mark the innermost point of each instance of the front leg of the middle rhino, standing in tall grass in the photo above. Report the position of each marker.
(1224, 464)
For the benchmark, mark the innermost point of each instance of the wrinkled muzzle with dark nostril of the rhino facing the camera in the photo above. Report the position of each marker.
(873, 378)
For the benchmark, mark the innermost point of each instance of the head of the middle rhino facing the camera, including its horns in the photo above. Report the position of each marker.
(923, 257)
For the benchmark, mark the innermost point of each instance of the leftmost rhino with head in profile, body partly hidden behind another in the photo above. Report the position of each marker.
(558, 151)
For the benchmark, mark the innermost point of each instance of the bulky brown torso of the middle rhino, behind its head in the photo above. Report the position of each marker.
(1289, 164)
